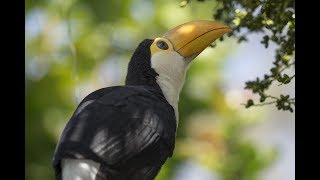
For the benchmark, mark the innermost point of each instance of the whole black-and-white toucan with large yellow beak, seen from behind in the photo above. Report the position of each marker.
(128, 132)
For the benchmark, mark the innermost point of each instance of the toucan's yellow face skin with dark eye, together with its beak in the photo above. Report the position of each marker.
(188, 40)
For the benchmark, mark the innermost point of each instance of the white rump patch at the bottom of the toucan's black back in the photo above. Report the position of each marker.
(79, 169)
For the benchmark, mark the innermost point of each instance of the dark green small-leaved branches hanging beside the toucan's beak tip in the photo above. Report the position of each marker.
(276, 19)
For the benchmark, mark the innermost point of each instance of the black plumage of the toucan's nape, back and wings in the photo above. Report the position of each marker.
(130, 130)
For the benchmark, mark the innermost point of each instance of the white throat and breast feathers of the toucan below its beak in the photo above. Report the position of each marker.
(171, 68)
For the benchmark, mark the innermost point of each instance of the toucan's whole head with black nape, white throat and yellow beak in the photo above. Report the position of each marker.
(165, 59)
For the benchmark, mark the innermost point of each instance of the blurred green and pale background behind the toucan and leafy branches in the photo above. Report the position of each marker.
(74, 47)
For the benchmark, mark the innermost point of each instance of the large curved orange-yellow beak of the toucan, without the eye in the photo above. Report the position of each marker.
(191, 38)
